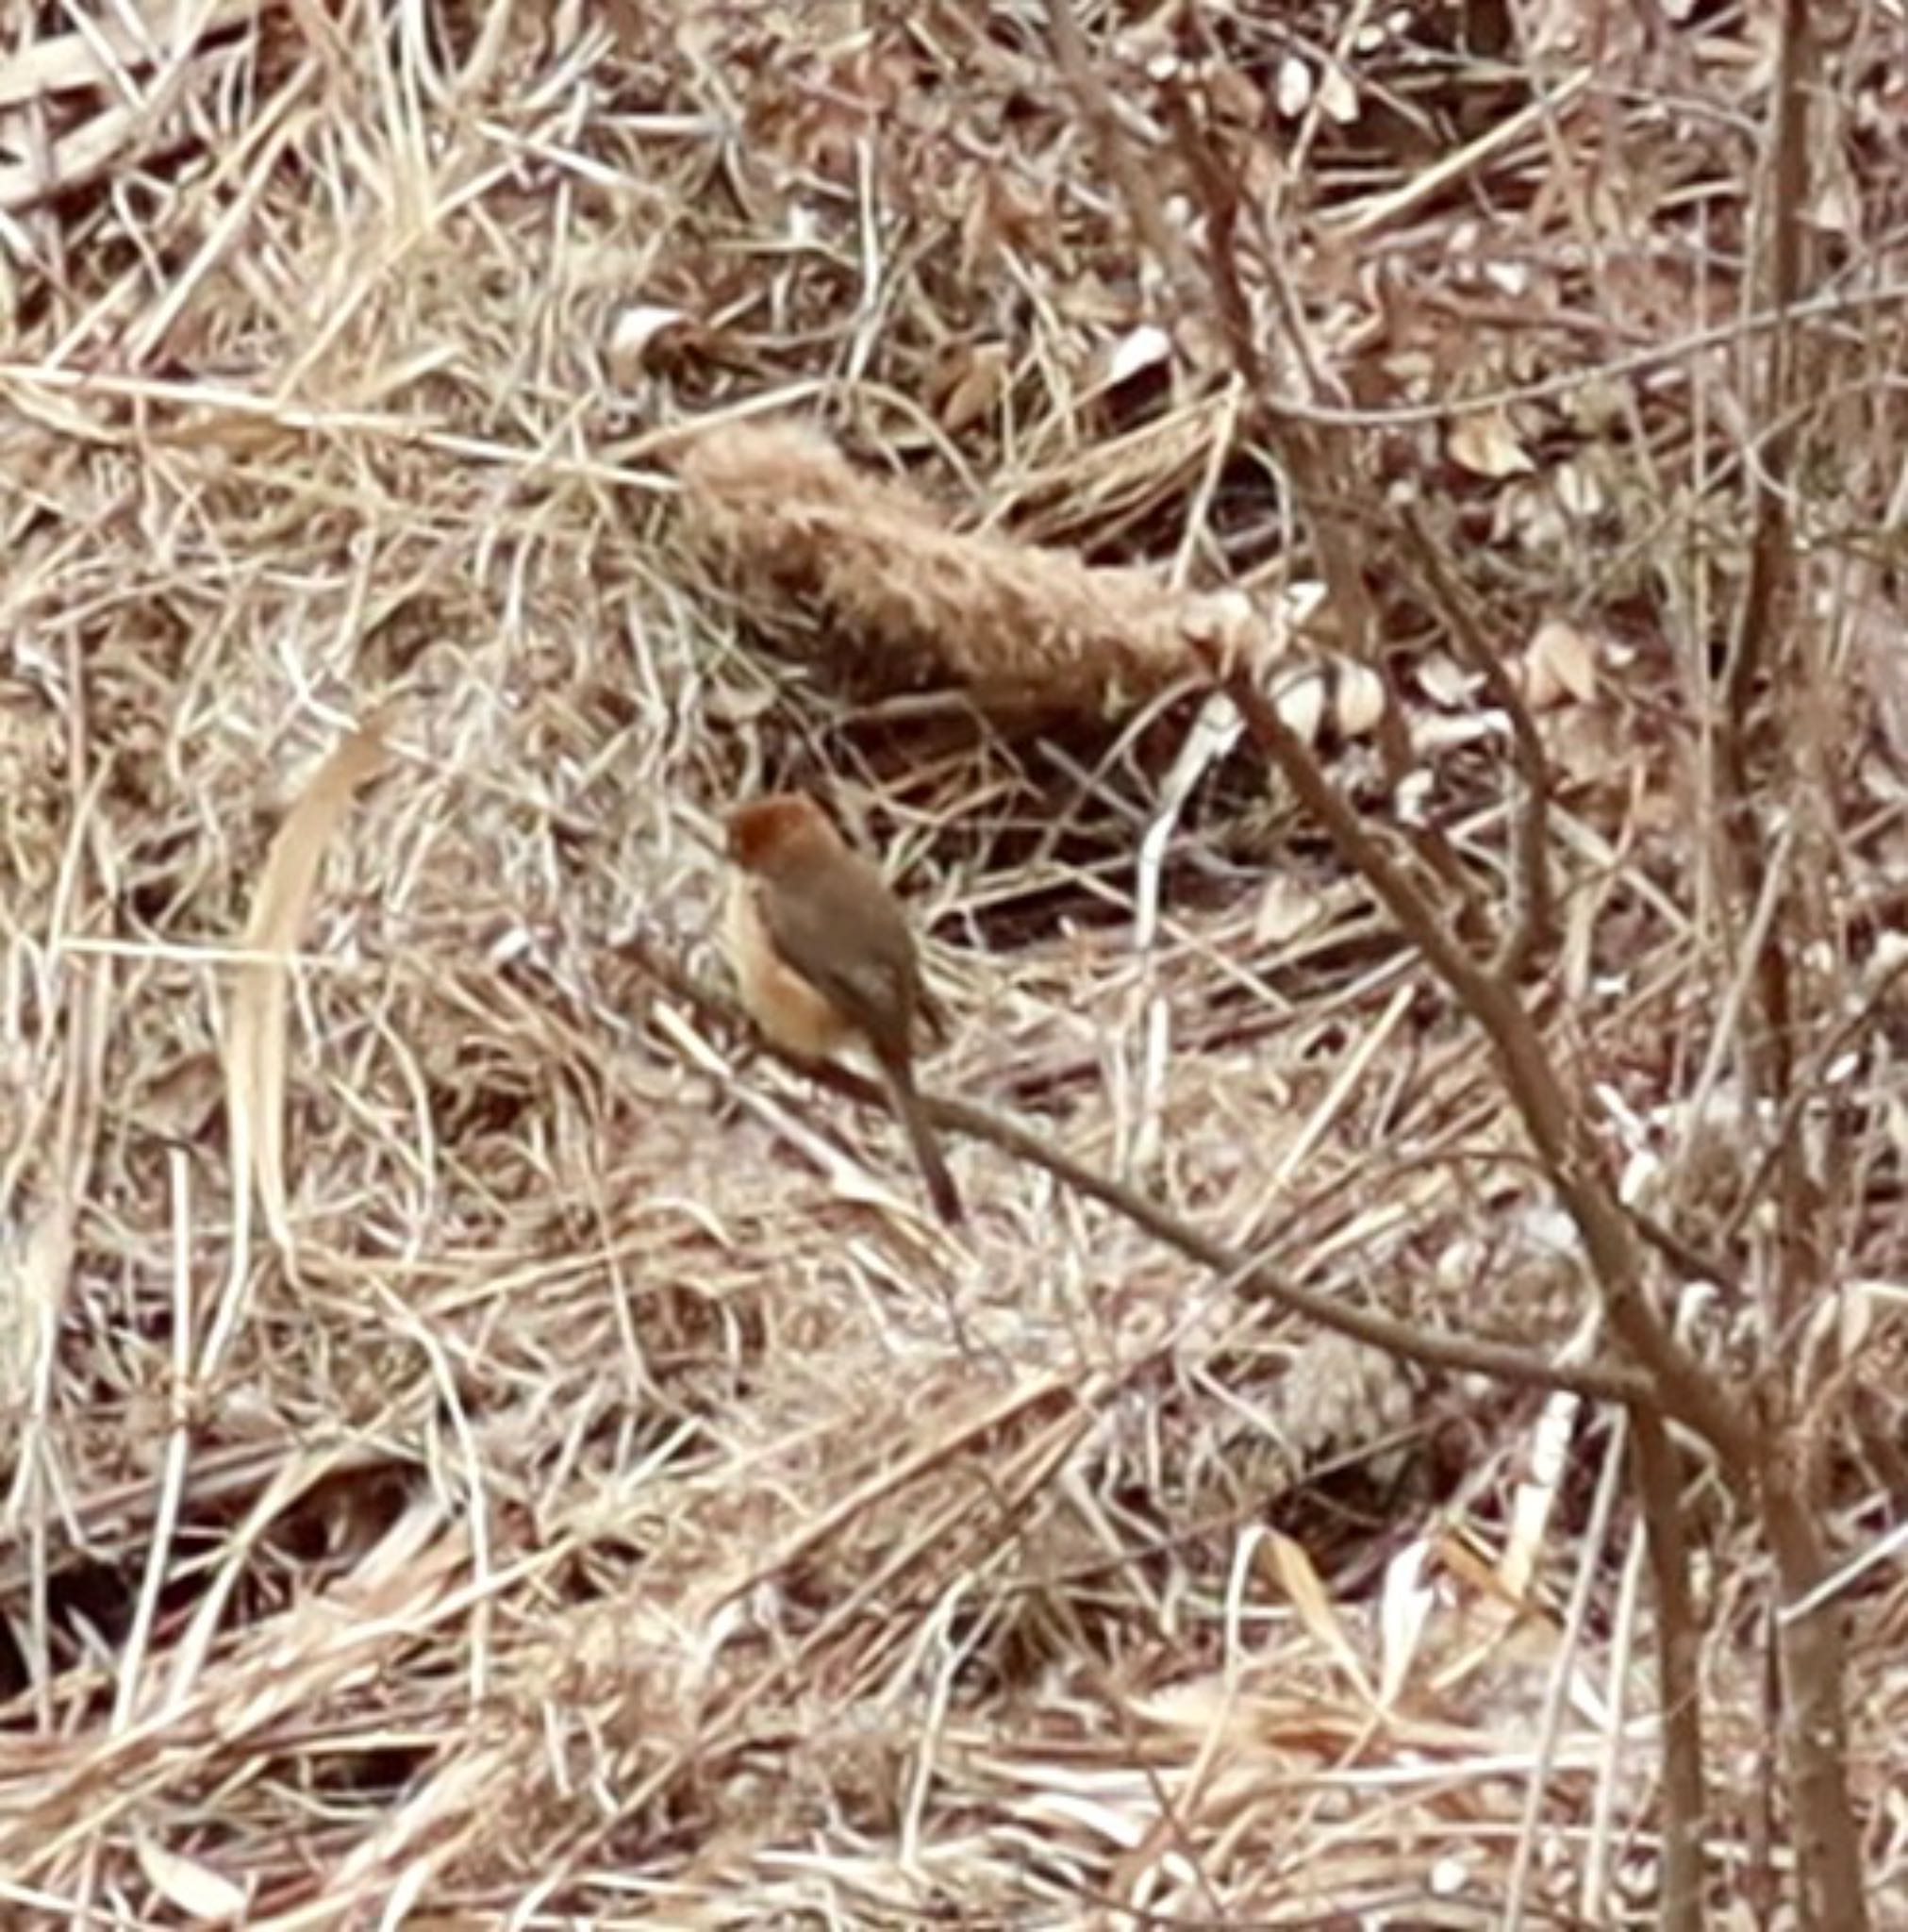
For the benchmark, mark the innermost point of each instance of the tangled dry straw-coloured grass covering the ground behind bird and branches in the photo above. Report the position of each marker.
(615, 1498)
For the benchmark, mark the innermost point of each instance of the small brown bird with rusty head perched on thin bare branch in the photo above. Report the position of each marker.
(824, 957)
